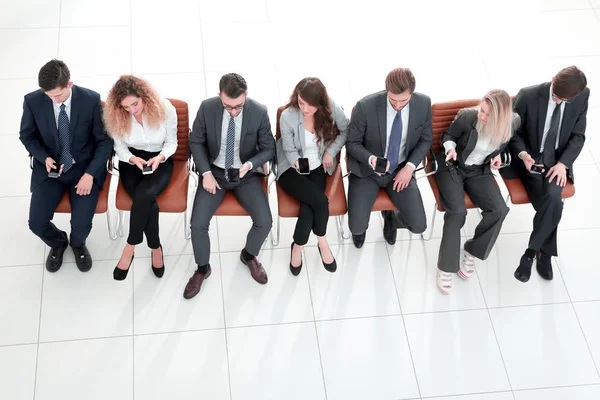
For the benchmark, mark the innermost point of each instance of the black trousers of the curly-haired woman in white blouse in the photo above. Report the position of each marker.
(143, 190)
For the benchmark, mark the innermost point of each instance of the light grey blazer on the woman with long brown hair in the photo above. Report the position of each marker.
(291, 145)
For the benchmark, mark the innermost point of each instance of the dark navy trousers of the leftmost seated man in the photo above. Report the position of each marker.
(44, 200)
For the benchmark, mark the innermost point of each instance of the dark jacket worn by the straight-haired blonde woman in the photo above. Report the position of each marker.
(463, 132)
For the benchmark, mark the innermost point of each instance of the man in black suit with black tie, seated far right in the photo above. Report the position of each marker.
(551, 136)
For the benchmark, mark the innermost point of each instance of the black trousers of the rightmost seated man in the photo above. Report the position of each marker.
(546, 198)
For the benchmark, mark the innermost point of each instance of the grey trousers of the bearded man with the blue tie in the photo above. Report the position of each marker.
(362, 193)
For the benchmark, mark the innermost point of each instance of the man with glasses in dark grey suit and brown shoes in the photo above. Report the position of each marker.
(231, 138)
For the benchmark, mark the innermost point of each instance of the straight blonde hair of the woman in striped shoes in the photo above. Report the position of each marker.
(499, 125)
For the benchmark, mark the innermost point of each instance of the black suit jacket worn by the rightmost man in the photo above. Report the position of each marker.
(531, 103)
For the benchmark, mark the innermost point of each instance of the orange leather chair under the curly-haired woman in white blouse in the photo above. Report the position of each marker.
(174, 198)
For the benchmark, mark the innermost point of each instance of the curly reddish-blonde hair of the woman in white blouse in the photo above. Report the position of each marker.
(117, 120)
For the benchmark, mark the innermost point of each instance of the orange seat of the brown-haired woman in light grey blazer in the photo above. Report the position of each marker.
(334, 190)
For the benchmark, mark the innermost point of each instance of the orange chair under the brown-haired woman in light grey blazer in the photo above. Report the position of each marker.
(289, 207)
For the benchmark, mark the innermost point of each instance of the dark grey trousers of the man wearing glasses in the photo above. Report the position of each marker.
(251, 195)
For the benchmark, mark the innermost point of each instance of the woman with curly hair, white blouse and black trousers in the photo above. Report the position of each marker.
(144, 128)
